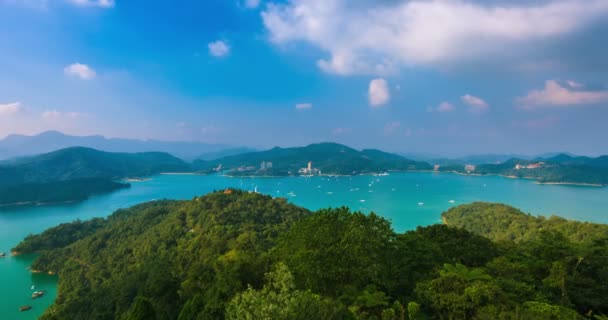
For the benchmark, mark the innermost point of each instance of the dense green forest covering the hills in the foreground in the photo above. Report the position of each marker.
(236, 255)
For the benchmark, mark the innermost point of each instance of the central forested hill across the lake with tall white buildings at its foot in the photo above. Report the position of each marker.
(329, 158)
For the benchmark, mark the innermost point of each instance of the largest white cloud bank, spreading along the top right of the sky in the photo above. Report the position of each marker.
(375, 37)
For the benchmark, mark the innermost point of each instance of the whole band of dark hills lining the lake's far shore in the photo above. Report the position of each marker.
(75, 173)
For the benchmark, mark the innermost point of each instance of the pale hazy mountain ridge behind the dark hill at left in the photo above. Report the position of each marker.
(22, 145)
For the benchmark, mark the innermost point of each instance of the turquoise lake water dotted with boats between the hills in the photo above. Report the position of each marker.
(407, 199)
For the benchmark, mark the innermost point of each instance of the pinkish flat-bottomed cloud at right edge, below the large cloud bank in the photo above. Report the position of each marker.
(569, 93)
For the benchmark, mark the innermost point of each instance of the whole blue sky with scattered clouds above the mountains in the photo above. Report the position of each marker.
(447, 77)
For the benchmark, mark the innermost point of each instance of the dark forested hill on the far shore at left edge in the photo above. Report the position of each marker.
(75, 173)
